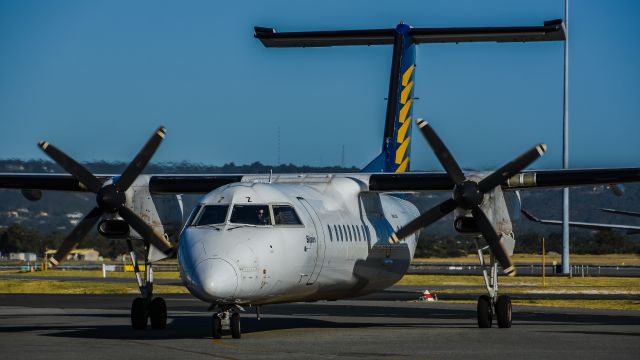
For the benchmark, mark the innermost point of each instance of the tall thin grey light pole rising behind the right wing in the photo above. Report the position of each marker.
(565, 146)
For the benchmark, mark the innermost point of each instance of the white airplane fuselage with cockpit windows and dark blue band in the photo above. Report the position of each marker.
(338, 248)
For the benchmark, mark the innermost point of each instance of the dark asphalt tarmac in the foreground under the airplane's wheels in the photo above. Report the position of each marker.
(376, 326)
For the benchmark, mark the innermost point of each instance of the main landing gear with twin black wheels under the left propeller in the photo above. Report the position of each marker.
(146, 307)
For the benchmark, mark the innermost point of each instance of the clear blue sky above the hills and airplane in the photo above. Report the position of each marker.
(96, 77)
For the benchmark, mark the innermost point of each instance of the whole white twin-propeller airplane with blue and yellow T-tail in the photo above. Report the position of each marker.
(265, 239)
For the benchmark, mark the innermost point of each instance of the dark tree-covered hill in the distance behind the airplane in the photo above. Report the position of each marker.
(56, 210)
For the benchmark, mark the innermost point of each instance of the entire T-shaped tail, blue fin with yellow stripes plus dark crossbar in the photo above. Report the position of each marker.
(396, 147)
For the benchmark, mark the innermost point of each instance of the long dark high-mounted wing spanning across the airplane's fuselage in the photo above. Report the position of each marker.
(383, 182)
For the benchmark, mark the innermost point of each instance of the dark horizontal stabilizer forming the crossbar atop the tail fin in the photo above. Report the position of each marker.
(551, 31)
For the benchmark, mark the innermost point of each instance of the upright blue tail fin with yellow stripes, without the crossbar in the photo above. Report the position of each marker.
(396, 146)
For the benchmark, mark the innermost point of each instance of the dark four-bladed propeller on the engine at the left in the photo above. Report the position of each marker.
(110, 198)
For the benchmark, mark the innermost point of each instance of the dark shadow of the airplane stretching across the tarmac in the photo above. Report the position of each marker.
(308, 316)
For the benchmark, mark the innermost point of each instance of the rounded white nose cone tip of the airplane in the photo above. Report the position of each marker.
(216, 279)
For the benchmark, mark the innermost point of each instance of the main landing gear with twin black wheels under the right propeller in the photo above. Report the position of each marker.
(492, 304)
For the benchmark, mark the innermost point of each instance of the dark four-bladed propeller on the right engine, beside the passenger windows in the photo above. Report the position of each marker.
(469, 194)
